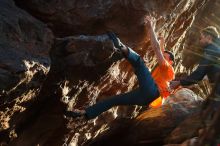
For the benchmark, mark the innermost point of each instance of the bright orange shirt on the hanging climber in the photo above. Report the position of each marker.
(162, 75)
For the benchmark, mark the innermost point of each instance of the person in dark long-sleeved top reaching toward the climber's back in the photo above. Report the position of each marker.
(209, 64)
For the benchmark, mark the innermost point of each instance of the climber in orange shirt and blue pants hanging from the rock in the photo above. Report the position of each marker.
(151, 86)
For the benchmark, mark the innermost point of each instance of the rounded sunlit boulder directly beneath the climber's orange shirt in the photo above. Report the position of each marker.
(153, 125)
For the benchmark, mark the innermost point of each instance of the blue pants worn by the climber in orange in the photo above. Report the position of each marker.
(143, 95)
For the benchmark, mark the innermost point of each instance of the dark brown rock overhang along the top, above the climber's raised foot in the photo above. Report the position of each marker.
(80, 17)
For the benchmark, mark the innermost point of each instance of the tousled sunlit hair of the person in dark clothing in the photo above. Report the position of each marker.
(212, 31)
